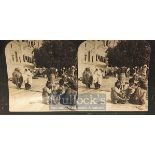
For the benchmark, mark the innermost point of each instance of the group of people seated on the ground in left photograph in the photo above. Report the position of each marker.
(63, 92)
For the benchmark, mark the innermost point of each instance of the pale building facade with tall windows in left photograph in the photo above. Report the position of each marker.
(19, 54)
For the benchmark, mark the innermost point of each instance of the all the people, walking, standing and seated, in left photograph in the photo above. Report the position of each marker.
(61, 86)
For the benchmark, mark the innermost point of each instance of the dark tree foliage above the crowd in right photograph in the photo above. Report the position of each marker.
(129, 53)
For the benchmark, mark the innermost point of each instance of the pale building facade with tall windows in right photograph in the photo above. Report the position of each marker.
(93, 54)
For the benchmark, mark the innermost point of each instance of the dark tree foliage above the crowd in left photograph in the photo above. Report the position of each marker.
(57, 53)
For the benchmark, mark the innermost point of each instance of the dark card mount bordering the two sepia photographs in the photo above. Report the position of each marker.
(4, 92)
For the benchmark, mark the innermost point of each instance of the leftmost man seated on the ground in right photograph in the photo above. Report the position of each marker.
(116, 95)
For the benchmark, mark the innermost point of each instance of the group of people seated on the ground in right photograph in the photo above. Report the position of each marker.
(134, 92)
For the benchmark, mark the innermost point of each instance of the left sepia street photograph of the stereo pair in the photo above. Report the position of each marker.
(42, 75)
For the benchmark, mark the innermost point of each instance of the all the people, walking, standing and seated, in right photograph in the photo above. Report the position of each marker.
(131, 84)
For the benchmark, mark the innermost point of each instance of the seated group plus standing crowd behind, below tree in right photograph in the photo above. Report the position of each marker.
(135, 89)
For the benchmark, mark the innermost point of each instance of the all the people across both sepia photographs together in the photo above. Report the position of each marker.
(61, 86)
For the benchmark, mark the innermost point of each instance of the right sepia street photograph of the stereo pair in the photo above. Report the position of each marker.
(117, 70)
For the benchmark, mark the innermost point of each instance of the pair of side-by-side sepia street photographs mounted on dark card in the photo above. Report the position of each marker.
(77, 75)
